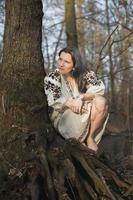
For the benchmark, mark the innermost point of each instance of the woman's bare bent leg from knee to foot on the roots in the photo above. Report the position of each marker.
(98, 115)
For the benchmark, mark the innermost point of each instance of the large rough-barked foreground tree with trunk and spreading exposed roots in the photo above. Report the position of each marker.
(59, 169)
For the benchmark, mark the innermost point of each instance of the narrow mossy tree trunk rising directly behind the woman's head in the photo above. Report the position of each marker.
(70, 20)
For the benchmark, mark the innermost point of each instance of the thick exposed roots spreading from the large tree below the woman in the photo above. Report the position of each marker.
(71, 172)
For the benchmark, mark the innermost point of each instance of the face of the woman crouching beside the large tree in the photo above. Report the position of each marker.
(65, 63)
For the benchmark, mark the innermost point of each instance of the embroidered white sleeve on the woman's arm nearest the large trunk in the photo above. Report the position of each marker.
(52, 87)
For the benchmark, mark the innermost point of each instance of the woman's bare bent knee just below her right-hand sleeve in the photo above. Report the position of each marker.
(100, 103)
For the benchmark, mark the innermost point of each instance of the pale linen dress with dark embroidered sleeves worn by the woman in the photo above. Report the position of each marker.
(68, 123)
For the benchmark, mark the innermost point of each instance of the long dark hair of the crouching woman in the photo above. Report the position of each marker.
(79, 65)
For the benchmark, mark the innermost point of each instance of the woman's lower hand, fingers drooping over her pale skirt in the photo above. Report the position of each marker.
(75, 105)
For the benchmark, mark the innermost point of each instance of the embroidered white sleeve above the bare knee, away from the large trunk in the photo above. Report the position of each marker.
(93, 84)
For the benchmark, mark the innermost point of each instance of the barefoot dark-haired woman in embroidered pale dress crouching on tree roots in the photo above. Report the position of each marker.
(76, 96)
